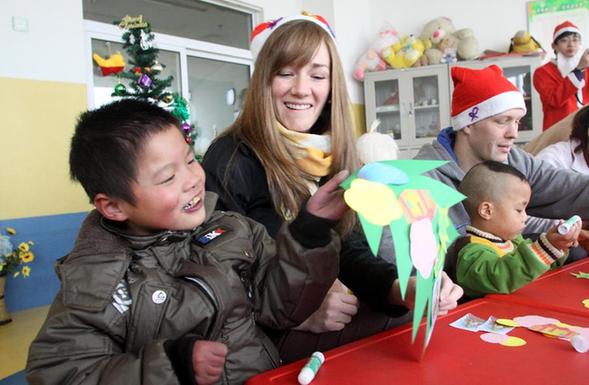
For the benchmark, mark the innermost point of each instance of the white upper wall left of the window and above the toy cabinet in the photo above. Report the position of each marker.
(53, 48)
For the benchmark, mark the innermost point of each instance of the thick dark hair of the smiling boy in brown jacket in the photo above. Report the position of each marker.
(107, 142)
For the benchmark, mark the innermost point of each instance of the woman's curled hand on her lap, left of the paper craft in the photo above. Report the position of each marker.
(336, 311)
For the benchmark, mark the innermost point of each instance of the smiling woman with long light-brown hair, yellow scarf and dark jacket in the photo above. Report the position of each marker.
(295, 131)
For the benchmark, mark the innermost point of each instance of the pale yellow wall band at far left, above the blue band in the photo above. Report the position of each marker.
(38, 119)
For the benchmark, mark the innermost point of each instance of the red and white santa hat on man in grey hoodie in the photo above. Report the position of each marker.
(479, 94)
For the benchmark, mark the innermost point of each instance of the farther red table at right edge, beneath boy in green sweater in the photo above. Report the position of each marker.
(557, 290)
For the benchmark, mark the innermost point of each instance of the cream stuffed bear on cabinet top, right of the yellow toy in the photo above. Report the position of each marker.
(446, 41)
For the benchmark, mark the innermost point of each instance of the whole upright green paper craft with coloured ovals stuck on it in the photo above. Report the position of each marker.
(394, 193)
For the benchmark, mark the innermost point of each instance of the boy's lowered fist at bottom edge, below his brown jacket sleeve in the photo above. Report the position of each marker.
(208, 359)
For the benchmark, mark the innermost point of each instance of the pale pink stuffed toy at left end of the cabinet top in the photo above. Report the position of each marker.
(373, 58)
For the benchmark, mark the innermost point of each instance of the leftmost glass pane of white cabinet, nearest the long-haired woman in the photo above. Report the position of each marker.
(388, 107)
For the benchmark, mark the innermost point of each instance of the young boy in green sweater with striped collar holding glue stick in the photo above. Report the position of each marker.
(494, 257)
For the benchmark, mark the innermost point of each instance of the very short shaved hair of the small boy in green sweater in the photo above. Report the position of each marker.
(483, 182)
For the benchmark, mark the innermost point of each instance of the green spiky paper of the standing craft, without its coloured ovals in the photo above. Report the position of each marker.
(444, 232)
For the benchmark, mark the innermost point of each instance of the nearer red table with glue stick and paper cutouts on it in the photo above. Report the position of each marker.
(453, 357)
